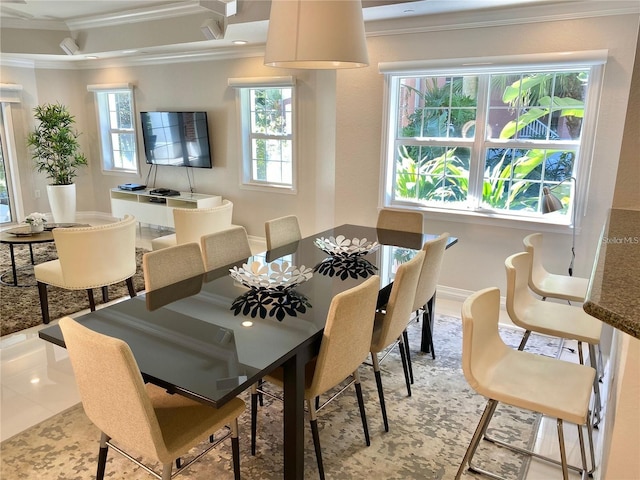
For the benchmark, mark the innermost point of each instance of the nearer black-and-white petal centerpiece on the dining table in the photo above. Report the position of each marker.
(271, 290)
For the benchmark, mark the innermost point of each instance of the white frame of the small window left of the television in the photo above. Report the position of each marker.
(105, 130)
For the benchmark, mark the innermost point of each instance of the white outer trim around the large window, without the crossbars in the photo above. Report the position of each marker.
(596, 59)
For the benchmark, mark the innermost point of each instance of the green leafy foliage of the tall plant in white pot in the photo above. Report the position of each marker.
(54, 144)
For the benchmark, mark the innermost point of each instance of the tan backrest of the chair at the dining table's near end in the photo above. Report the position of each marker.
(112, 389)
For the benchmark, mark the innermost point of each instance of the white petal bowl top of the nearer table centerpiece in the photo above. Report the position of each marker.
(273, 276)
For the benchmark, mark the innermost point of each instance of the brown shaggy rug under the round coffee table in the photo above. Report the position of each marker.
(20, 306)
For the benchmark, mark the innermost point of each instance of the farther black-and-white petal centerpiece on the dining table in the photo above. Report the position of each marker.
(346, 257)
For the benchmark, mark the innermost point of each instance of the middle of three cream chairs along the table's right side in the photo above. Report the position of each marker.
(390, 325)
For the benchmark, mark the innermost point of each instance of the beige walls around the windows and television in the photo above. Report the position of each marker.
(340, 125)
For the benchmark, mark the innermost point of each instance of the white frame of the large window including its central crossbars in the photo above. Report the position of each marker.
(484, 67)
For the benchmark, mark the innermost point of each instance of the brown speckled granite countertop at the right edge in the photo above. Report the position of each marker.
(614, 287)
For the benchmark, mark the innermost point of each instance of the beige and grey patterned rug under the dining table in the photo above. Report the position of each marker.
(429, 431)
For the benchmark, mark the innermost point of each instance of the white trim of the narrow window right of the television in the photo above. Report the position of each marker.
(242, 85)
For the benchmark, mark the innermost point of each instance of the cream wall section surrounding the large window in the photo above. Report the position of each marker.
(478, 260)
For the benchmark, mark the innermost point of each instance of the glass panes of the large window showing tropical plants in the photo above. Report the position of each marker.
(488, 140)
